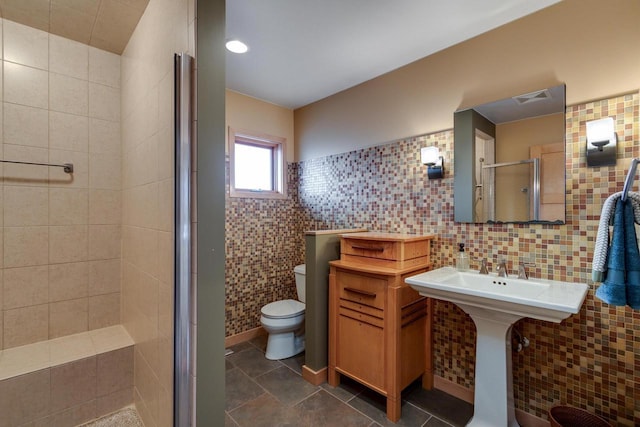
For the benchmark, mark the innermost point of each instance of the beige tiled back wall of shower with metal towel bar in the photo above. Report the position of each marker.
(60, 234)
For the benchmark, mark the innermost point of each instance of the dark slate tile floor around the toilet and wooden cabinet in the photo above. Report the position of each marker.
(261, 392)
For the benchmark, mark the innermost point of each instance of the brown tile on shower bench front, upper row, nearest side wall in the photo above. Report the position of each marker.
(115, 371)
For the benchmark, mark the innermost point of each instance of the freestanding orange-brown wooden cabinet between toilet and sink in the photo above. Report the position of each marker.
(379, 327)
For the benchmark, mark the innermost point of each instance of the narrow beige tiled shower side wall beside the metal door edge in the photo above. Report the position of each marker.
(147, 200)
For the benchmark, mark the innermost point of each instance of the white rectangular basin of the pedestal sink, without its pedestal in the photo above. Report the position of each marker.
(536, 298)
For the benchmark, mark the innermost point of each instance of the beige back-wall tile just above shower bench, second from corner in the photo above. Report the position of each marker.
(68, 317)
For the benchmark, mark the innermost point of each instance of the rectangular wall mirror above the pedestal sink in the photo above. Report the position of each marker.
(509, 160)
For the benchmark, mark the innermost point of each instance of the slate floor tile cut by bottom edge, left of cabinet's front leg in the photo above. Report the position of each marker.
(321, 409)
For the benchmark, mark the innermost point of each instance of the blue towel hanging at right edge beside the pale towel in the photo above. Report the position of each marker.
(613, 289)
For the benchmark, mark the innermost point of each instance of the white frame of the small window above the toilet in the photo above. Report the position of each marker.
(277, 144)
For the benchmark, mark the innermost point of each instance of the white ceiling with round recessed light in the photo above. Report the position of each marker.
(301, 51)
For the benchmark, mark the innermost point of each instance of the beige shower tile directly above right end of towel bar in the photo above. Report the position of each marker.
(68, 132)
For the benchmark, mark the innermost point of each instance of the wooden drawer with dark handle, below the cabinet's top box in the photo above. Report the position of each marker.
(361, 289)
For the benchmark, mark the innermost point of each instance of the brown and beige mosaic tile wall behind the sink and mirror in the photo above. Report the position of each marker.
(591, 360)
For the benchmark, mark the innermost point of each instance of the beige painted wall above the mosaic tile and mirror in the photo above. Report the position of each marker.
(590, 45)
